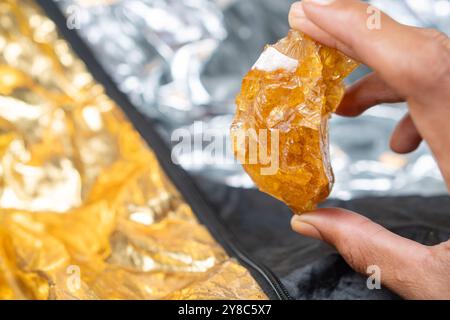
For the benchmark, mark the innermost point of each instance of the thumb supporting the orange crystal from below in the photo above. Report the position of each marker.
(363, 243)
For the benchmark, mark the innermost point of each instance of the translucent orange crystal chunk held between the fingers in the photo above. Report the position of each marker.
(280, 130)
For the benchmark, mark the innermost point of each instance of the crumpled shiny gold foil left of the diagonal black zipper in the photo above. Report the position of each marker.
(85, 210)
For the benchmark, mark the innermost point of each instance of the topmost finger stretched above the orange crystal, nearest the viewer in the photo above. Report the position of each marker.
(373, 37)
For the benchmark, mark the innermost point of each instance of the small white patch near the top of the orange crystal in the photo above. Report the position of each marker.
(272, 59)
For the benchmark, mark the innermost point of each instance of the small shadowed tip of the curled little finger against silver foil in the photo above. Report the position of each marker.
(405, 138)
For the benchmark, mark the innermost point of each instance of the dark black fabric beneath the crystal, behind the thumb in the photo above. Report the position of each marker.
(310, 269)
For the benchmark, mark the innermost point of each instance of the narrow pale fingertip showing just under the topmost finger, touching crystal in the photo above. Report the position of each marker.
(299, 21)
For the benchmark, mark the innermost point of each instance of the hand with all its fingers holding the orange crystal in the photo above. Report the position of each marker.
(410, 64)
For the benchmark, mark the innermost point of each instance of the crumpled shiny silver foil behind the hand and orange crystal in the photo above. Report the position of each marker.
(182, 61)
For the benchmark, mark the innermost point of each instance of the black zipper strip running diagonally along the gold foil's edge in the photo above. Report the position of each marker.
(178, 176)
